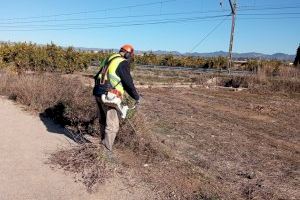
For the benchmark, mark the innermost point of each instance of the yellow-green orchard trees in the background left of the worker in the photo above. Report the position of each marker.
(51, 58)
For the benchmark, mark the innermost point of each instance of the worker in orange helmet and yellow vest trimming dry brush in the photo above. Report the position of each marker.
(114, 77)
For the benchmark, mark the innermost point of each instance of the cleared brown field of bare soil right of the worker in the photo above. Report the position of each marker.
(223, 144)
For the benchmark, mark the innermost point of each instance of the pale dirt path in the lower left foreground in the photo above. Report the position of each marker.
(25, 145)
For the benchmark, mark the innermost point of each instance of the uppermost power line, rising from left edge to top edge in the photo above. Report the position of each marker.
(93, 11)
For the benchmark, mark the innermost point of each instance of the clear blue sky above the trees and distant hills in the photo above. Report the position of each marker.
(266, 26)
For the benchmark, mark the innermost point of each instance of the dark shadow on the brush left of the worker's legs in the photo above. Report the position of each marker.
(55, 122)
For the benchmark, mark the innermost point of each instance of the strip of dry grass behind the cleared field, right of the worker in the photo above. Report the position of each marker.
(267, 79)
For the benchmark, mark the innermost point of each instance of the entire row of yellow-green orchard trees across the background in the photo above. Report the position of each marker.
(53, 58)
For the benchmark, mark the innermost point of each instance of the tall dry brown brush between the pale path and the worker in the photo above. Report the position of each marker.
(66, 101)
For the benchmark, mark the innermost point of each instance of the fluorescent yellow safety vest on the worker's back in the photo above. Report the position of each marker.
(113, 78)
